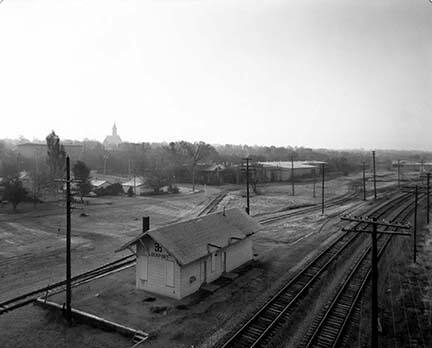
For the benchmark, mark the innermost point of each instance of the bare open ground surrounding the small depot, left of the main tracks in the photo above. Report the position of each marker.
(32, 255)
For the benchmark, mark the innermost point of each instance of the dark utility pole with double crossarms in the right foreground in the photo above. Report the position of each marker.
(374, 265)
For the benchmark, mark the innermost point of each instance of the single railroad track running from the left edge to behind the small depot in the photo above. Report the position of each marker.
(102, 271)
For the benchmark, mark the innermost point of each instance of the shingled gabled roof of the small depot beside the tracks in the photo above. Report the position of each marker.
(191, 240)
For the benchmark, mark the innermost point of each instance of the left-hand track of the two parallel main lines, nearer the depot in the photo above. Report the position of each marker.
(272, 316)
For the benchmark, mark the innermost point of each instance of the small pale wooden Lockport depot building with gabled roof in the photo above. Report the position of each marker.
(176, 260)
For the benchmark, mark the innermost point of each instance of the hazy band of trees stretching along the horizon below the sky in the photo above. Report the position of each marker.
(162, 164)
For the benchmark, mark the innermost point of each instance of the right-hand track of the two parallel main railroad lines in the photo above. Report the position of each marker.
(327, 330)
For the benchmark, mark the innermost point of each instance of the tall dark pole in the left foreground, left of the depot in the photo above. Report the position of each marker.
(68, 244)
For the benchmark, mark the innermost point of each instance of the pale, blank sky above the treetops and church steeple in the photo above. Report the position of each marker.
(319, 73)
